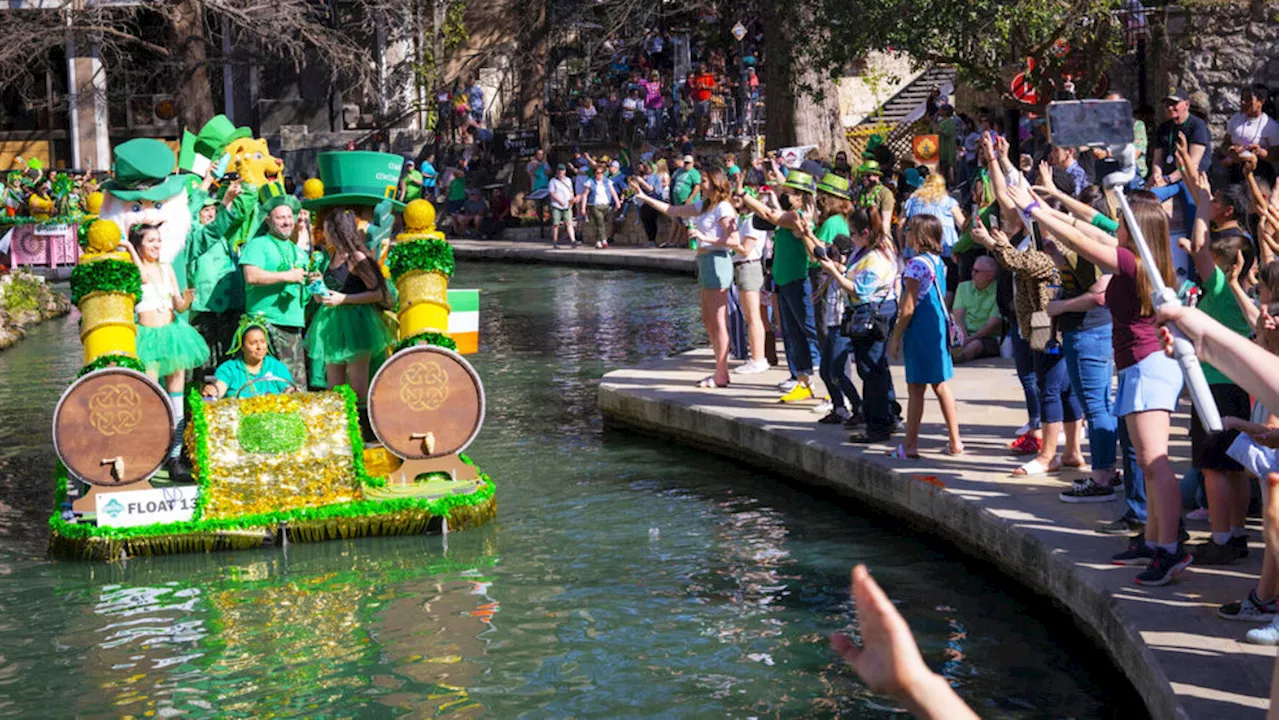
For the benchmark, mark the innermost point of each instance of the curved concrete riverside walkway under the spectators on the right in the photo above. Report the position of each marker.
(1183, 660)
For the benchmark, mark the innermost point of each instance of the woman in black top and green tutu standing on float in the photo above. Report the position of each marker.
(349, 327)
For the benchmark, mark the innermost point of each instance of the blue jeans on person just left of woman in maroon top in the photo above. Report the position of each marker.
(1090, 366)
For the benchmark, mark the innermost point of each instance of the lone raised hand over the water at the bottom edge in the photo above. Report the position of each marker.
(889, 662)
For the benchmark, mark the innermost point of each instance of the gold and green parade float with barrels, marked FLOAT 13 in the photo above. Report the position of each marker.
(276, 468)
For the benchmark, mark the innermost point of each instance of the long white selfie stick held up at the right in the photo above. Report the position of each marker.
(1160, 295)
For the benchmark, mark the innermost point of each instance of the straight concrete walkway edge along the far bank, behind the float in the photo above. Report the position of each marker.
(618, 258)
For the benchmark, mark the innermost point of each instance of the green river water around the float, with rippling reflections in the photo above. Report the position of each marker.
(624, 577)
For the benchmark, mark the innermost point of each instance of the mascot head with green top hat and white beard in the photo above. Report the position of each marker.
(144, 189)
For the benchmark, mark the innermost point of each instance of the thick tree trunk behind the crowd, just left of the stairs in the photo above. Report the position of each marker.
(793, 116)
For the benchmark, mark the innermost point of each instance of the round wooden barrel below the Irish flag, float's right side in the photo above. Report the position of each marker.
(427, 402)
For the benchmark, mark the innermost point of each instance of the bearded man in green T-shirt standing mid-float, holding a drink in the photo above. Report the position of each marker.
(276, 276)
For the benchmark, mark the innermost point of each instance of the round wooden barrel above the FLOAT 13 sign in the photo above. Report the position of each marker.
(109, 414)
